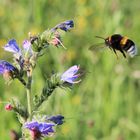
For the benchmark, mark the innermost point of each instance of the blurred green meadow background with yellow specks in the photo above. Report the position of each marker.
(106, 104)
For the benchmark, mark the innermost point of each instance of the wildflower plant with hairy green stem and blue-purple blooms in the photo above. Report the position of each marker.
(36, 126)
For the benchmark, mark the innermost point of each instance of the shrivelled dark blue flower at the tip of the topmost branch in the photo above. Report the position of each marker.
(65, 26)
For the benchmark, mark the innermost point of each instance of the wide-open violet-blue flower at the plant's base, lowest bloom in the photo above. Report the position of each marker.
(40, 129)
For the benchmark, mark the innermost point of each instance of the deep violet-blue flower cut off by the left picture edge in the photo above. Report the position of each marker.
(6, 67)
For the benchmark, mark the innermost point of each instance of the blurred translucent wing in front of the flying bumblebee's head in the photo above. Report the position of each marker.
(97, 47)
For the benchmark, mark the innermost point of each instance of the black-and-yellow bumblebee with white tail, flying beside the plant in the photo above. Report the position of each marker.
(120, 43)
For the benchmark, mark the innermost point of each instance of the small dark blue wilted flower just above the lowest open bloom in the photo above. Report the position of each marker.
(59, 119)
